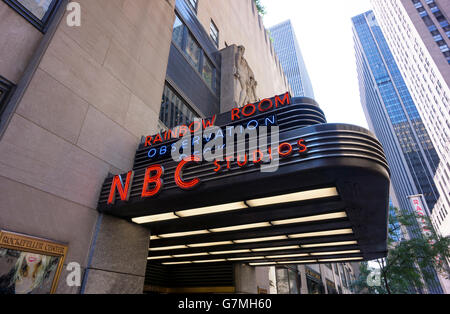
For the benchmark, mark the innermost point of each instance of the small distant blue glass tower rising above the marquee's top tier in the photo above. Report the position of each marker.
(288, 50)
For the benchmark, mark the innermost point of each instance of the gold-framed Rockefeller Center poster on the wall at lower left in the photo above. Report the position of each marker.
(29, 265)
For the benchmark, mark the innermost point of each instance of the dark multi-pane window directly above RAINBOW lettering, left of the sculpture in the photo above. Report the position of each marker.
(174, 110)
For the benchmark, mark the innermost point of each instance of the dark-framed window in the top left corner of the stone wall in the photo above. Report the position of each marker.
(37, 12)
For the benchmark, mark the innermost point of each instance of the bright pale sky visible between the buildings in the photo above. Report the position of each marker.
(324, 32)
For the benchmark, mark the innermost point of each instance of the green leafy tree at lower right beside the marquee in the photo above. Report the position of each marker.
(409, 263)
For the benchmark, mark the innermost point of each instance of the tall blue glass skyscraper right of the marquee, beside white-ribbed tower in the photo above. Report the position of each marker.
(392, 115)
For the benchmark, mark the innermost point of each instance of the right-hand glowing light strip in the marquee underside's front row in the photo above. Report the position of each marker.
(294, 197)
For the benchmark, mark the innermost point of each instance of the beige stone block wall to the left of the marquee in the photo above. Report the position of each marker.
(96, 91)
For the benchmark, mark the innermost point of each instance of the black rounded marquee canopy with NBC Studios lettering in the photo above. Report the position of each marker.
(327, 202)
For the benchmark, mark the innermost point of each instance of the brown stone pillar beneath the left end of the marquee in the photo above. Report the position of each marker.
(118, 258)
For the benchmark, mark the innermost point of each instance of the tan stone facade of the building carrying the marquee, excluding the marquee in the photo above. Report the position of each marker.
(77, 101)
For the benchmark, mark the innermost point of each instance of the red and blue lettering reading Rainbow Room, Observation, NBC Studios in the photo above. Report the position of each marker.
(260, 114)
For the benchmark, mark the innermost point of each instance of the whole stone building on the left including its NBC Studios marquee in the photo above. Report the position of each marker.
(126, 71)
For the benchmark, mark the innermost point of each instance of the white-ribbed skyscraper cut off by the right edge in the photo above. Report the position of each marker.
(418, 34)
